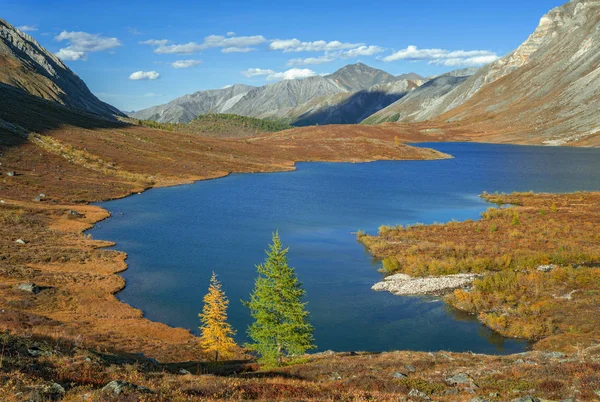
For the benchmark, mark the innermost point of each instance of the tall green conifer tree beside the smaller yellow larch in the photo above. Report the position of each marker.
(281, 326)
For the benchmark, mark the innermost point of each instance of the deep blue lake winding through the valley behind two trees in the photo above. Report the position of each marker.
(175, 237)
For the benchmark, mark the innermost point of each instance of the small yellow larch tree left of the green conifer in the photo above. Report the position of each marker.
(217, 334)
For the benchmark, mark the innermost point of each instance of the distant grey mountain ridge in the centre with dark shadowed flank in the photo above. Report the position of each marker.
(346, 96)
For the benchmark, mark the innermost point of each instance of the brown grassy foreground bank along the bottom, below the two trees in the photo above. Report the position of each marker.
(324, 377)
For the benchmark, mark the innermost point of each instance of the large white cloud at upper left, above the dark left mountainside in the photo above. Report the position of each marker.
(81, 43)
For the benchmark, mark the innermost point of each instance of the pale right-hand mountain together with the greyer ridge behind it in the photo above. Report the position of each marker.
(546, 90)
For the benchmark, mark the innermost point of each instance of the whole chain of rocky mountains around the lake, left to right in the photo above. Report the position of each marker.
(546, 91)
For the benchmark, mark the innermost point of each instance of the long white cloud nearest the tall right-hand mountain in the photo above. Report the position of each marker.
(444, 57)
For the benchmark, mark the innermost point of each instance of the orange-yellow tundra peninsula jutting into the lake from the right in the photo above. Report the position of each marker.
(539, 260)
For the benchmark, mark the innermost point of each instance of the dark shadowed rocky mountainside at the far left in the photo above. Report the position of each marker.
(27, 66)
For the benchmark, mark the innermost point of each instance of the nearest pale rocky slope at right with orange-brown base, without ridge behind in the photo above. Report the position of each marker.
(554, 96)
